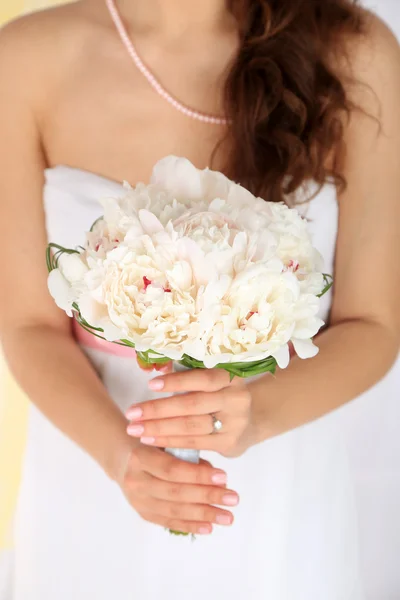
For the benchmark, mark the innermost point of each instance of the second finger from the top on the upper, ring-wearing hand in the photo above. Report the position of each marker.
(195, 403)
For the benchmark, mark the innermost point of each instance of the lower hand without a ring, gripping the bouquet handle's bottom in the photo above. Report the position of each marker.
(175, 494)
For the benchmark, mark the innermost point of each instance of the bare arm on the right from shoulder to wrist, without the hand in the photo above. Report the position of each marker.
(362, 341)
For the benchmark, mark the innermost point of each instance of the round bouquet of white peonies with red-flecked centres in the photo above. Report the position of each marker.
(193, 268)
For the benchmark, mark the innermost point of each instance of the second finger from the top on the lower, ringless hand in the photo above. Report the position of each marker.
(191, 494)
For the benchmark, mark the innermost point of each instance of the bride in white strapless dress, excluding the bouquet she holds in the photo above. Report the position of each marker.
(297, 100)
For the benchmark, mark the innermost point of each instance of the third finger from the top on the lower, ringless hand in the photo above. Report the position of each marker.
(202, 513)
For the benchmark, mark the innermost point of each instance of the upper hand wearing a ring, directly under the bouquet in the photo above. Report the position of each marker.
(186, 420)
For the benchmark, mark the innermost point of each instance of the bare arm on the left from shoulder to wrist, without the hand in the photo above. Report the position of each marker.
(34, 333)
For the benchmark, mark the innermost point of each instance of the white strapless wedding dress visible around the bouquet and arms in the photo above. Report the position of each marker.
(295, 535)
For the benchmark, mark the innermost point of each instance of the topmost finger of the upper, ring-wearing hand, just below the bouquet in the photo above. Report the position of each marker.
(205, 380)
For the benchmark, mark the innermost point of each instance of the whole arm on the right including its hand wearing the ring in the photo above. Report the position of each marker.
(362, 341)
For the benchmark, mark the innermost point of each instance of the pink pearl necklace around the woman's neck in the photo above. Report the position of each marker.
(155, 84)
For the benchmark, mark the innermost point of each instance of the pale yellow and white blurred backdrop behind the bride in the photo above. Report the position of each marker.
(371, 426)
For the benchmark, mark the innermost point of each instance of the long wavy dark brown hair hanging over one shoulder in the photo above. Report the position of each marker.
(285, 101)
